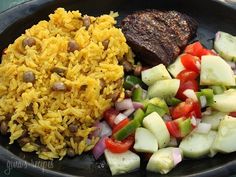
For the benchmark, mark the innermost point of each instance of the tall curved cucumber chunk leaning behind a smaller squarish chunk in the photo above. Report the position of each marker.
(157, 126)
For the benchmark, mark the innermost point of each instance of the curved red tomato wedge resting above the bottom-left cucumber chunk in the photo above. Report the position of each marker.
(119, 146)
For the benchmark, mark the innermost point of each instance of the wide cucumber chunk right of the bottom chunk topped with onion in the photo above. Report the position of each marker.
(196, 145)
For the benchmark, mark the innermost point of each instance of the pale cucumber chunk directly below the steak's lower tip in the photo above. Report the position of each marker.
(154, 74)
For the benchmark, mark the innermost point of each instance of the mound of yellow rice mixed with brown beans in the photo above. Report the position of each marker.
(57, 79)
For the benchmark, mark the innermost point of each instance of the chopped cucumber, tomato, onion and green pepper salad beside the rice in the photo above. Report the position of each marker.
(185, 110)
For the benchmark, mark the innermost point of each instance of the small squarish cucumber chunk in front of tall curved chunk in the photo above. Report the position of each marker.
(145, 141)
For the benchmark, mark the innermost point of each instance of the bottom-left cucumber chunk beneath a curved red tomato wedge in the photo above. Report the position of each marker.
(120, 163)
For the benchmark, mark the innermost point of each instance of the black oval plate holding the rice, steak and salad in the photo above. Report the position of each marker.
(211, 15)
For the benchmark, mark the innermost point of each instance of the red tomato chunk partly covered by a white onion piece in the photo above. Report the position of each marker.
(190, 84)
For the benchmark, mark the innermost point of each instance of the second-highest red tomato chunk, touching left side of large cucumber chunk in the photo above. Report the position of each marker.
(191, 62)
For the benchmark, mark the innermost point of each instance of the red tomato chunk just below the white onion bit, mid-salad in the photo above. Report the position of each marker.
(182, 109)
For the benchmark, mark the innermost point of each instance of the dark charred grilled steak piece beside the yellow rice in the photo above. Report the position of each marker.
(158, 36)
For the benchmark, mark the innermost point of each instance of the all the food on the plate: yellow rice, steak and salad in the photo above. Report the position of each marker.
(70, 85)
